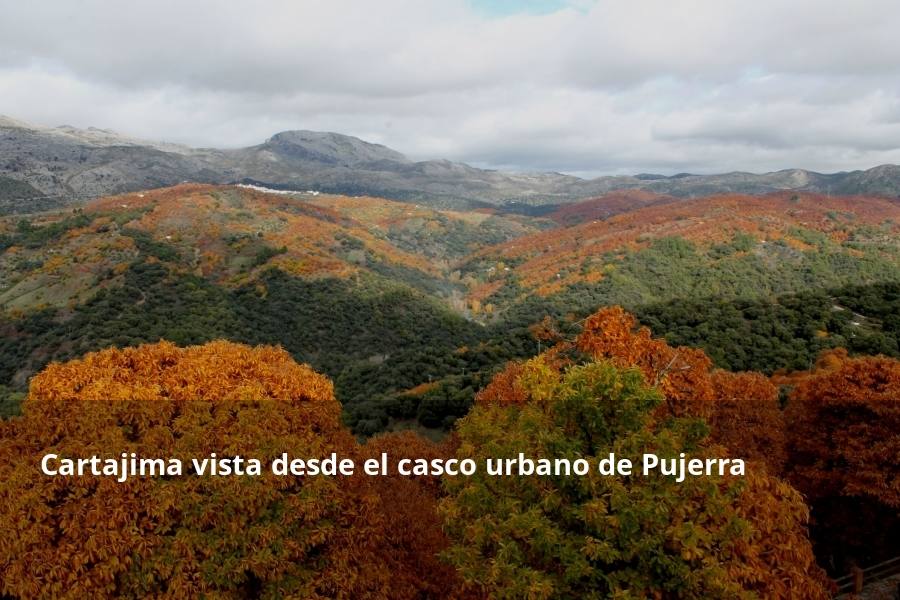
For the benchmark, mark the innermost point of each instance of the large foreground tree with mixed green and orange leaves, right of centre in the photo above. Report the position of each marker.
(614, 536)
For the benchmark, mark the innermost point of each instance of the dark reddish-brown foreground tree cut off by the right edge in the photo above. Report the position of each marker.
(844, 446)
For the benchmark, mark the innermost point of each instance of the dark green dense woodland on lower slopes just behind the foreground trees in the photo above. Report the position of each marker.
(394, 339)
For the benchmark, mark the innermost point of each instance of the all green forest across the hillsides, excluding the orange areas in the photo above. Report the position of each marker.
(399, 355)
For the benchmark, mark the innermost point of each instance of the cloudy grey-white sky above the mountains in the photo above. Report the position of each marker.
(580, 86)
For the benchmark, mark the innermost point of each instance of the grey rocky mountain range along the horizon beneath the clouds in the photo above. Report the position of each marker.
(47, 167)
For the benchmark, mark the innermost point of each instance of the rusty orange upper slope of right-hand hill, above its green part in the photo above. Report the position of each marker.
(720, 229)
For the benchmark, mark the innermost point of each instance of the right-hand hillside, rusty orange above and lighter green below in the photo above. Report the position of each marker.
(729, 245)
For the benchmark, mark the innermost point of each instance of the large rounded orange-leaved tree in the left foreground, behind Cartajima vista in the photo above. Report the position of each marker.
(189, 536)
